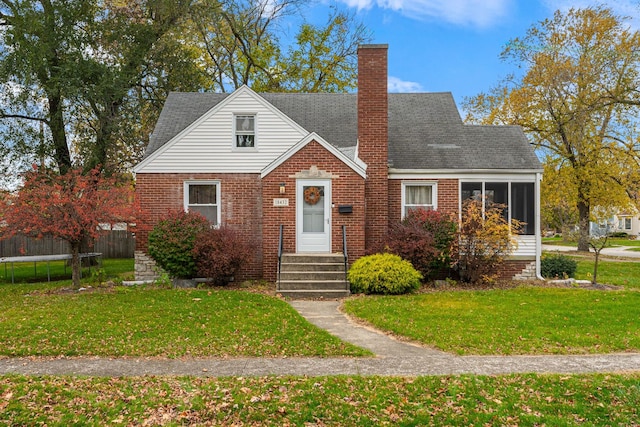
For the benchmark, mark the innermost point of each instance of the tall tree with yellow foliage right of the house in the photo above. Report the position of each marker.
(577, 101)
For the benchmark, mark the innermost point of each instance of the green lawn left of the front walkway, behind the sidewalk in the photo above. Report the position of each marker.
(49, 319)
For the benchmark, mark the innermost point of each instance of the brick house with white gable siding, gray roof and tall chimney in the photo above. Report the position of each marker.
(309, 164)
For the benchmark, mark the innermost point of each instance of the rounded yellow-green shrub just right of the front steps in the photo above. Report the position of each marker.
(383, 274)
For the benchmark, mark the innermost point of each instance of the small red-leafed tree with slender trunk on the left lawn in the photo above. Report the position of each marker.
(71, 207)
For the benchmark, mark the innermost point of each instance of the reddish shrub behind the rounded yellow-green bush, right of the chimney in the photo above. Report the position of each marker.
(425, 238)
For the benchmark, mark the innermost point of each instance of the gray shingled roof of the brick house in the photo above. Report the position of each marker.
(425, 129)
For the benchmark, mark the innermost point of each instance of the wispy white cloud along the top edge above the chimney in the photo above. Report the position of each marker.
(480, 13)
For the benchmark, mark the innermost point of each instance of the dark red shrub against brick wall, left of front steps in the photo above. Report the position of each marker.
(219, 253)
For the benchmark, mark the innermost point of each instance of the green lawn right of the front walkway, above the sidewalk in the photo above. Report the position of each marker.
(515, 321)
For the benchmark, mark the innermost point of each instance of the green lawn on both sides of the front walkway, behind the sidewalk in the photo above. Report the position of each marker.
(132, 321)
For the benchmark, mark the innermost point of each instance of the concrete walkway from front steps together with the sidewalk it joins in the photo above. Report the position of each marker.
(393, 358)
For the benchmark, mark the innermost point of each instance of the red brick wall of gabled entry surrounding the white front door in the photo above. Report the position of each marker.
(347, 189)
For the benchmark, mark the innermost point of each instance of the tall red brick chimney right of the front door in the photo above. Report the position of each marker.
(373, 138)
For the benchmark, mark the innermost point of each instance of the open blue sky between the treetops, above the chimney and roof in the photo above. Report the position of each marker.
(453, 45)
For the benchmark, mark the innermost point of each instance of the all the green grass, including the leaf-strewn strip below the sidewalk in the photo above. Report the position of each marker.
(39, 319)
